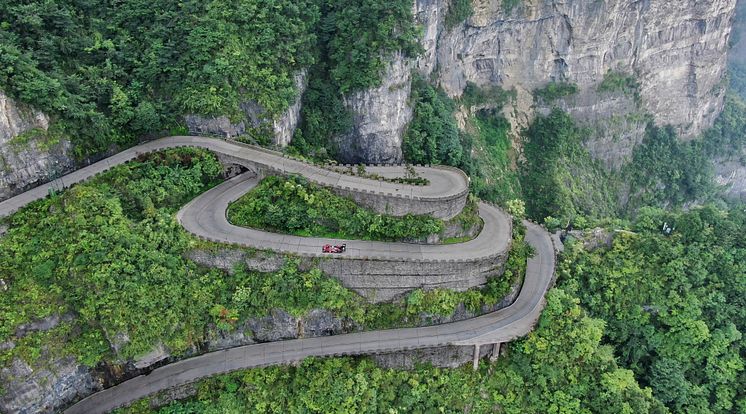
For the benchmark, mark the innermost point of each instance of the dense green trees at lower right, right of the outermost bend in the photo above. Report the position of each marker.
(674, 304)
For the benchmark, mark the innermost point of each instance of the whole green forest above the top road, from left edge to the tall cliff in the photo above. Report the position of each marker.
(111, 74)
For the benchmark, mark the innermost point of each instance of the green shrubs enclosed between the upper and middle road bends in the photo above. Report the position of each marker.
(293, 205)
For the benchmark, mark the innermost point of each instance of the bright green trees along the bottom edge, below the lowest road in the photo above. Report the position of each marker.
(560, 368)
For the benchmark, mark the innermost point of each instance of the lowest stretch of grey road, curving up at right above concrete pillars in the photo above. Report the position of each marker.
(501, 326)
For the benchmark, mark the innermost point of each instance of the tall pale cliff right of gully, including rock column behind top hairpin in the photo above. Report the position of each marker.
(676, 50)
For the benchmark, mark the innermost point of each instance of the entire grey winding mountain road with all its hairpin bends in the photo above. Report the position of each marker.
(205, 217)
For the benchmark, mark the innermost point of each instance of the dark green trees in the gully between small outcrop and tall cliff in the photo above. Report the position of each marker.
(356, 40)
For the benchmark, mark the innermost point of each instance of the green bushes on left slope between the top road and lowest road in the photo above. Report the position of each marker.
(109, 251)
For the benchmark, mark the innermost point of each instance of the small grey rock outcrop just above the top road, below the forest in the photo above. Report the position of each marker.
(282, 126)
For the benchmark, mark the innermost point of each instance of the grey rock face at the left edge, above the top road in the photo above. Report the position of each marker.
(28, 156)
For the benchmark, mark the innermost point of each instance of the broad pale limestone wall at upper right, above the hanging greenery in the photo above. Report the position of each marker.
(677, 50)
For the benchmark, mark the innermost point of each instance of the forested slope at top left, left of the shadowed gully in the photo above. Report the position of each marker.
(111, 74)
